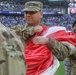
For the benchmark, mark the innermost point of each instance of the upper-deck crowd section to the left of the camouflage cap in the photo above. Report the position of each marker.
(10, 6)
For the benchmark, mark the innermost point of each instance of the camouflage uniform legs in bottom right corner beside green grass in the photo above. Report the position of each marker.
(70, 66)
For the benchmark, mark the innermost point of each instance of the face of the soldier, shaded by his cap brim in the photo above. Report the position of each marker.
(33, 17)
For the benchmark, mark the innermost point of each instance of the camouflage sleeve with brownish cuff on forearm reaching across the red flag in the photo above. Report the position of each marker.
(61, 49)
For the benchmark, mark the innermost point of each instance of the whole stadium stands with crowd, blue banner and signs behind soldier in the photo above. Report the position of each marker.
(56, 12)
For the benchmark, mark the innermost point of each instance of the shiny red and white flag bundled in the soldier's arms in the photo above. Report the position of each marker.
(39, 59)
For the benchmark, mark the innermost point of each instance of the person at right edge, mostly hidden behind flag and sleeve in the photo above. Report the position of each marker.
(70, 67)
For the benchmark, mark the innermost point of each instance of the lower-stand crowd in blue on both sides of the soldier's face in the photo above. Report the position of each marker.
(63, 20)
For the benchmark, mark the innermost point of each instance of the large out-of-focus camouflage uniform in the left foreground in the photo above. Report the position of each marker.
(12, 61)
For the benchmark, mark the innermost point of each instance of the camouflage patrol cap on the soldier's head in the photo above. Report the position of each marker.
(33, 6)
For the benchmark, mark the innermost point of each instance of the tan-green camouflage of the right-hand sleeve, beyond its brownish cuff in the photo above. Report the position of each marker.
(63, 50)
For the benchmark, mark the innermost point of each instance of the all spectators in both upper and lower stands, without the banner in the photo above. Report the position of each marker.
(65, 20)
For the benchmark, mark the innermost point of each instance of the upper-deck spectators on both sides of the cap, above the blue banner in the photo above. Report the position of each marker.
(13, 6)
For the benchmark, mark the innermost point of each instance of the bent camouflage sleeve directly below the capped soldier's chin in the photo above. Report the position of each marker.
(24, 31)
